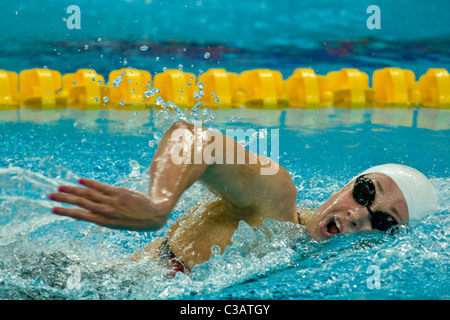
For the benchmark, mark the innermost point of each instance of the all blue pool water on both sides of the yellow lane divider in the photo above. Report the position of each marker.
(43, 256)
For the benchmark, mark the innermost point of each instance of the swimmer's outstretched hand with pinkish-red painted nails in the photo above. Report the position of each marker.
(109, 206)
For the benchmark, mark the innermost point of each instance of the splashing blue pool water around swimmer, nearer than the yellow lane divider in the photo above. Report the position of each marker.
(43, 256)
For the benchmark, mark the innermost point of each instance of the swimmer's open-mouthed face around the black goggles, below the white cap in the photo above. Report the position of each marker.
(342, 214)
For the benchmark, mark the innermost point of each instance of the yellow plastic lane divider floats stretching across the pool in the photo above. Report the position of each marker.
(219, 89)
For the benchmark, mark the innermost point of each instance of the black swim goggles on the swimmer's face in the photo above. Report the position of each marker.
(364, 194)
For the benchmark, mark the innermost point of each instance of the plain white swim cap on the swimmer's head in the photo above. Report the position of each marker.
(421, 197)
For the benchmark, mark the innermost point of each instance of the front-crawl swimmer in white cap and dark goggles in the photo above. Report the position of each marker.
(377, 199)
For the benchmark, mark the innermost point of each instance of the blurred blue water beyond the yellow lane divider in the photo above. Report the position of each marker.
(324, 35)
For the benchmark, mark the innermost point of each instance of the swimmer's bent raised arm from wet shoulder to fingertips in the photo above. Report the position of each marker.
(242, 185)
